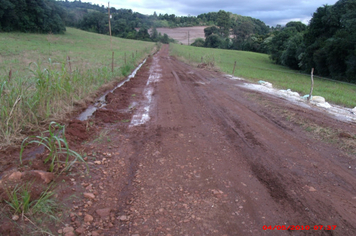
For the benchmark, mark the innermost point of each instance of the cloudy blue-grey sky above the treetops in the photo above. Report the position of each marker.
(272, 12)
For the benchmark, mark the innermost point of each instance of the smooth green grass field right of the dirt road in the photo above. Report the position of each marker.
(256, 66)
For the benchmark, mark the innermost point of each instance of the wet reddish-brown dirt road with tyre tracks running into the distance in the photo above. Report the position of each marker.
(185, 151)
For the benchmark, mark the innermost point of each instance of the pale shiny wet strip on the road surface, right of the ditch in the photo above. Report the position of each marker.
(142, 114)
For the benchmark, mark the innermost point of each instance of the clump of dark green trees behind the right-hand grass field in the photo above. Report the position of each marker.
(326, 44)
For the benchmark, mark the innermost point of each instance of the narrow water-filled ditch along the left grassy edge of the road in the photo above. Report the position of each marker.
(101, 102)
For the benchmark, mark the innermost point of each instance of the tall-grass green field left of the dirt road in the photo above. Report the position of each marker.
(43, 86)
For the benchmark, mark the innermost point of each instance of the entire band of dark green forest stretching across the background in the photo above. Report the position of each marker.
(326, 44)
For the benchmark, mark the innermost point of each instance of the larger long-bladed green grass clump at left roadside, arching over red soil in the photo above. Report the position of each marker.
(57, 145)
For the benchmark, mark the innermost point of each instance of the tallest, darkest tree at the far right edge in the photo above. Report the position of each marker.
(330, 41)
